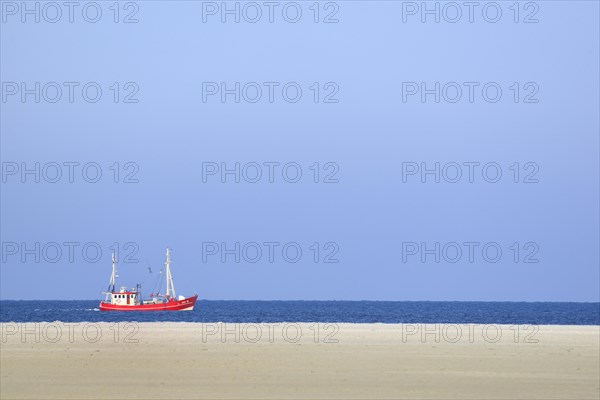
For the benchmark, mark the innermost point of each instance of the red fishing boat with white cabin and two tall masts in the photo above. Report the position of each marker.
(131, 299)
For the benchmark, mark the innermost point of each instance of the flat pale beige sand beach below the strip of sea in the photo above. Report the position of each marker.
(299, 361)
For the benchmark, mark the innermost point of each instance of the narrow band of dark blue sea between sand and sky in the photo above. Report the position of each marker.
(541, 313)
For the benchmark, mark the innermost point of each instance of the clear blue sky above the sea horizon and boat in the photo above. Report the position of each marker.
(359, 131)
